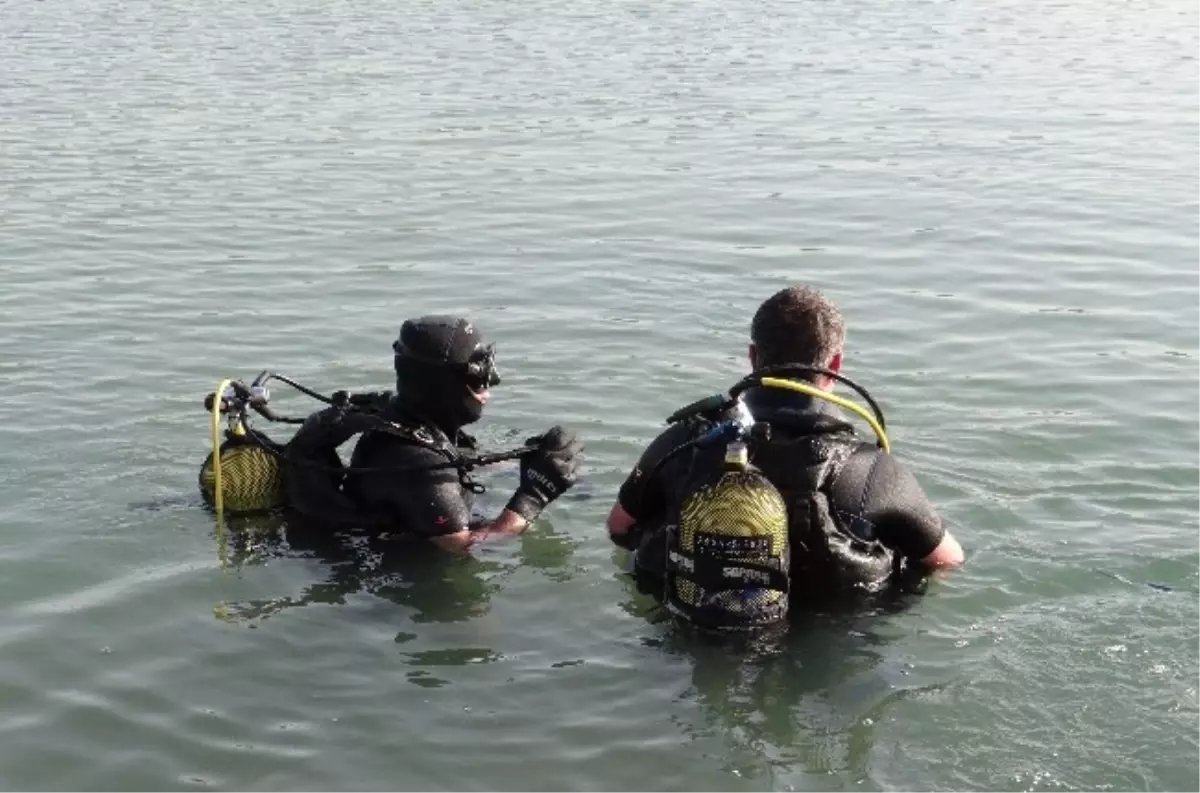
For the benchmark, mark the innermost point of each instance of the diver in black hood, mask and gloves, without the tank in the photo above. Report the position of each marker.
(404, 476)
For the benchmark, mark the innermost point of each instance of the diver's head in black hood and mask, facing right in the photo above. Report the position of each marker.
(445, 370)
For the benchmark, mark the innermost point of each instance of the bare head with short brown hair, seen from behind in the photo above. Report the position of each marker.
(797, 326)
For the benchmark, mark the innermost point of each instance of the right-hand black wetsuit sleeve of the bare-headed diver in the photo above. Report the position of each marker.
(877, 497)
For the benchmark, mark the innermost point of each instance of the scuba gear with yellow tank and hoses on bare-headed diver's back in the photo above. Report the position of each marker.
(728, 542)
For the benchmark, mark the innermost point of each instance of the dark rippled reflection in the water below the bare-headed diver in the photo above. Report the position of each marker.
(796, 706)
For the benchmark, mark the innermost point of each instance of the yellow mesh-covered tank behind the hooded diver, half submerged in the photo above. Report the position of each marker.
(251, 477)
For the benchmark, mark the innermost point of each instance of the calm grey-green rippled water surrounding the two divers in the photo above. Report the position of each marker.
(1003, 197)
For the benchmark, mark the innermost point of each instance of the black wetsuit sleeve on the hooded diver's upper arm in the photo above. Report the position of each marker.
(424, 503)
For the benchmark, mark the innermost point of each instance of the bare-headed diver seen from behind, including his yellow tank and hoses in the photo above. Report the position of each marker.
(764, 500)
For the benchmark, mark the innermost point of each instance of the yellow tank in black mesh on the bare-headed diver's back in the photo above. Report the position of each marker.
(728, 552)
